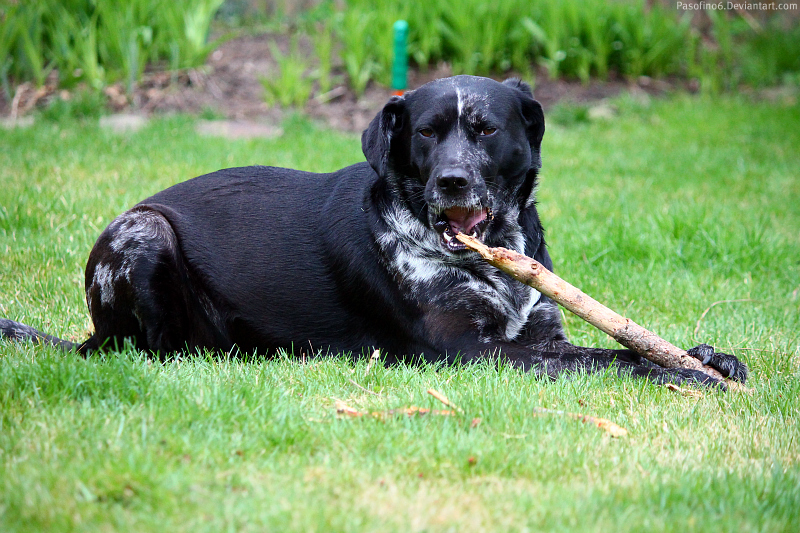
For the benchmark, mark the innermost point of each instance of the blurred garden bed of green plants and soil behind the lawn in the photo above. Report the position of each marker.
(250, 58)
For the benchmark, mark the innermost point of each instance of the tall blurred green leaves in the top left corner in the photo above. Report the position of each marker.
(101, 41)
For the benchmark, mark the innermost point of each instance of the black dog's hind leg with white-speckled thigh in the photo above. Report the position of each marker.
(138, 287)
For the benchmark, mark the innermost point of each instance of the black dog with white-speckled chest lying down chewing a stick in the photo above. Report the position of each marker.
(265, 258)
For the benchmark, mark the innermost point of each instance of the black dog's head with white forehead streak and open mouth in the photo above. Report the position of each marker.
(459, 152)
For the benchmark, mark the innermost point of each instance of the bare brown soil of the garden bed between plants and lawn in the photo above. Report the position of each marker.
(229, 86)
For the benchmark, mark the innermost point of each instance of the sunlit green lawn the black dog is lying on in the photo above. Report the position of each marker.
(659, 212)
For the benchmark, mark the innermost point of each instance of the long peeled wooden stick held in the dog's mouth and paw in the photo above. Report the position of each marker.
(623, 330)
